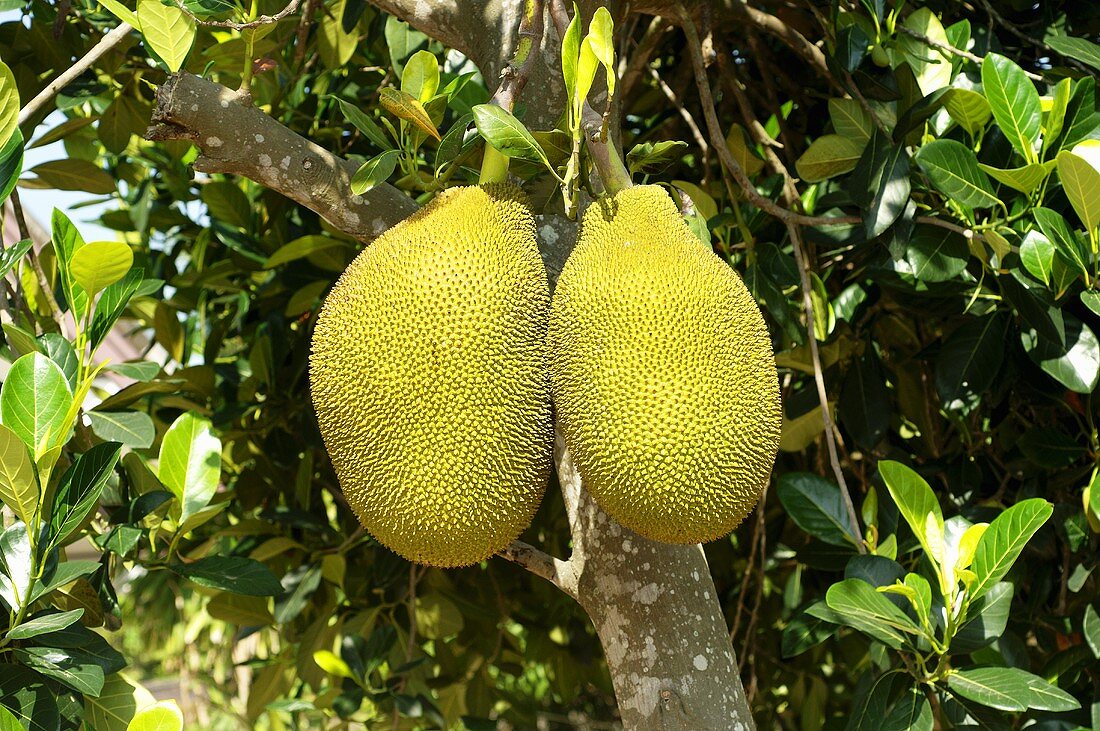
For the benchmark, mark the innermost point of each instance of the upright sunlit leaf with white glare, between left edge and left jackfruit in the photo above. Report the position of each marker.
(191, 463)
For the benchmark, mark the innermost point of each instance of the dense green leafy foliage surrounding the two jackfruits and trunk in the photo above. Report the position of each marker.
(915, 201)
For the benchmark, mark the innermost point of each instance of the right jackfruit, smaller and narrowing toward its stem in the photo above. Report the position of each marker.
(663, 373)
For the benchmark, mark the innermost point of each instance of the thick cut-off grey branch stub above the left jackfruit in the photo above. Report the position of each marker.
(240, 140)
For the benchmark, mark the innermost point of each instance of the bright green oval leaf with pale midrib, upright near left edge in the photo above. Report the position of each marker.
(35, 402)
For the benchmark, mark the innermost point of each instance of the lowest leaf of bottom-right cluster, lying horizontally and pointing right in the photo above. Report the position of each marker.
(1010, 690)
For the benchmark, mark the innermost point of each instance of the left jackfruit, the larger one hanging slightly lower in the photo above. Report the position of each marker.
(430, 379)
